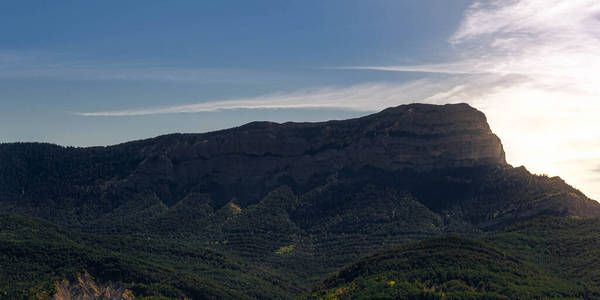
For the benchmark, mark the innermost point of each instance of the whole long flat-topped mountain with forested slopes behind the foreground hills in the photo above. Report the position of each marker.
(290, 202)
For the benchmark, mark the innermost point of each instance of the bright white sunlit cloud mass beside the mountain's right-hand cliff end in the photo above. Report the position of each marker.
(541, 59)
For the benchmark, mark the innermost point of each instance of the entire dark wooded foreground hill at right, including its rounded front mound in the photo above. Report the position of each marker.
(545, 258)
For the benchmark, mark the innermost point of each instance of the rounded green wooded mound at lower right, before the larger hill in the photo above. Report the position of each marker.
(445, 268)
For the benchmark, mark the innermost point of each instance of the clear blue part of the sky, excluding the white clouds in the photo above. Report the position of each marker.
(71, 56)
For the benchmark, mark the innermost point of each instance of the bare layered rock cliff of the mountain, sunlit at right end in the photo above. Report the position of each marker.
(419, 137)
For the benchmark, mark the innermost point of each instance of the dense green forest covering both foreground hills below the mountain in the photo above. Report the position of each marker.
(547, 257)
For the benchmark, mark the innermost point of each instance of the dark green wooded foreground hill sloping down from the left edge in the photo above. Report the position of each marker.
(34, 255)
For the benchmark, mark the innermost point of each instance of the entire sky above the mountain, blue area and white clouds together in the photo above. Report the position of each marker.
(103, 72)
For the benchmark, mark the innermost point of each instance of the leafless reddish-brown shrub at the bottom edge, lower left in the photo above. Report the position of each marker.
(85, 288)
